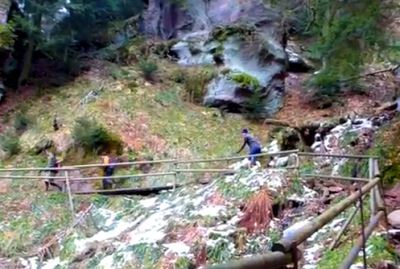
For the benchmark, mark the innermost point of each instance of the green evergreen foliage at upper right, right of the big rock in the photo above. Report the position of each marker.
(347, 33)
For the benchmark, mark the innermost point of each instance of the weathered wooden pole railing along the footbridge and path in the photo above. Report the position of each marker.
(285, 252)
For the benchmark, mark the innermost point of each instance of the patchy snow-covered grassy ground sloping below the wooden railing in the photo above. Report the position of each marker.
(196, 221)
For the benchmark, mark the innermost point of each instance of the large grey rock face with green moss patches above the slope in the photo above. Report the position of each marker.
(245, 39)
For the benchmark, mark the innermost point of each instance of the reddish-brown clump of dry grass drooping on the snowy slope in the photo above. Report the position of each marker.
(257, 212)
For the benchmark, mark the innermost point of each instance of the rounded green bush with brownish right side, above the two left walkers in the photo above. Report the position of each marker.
(95, 138)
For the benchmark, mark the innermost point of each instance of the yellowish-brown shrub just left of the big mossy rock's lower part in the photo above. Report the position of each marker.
(195, 83)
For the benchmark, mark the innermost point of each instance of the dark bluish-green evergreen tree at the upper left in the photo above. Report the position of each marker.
(83, 26)
